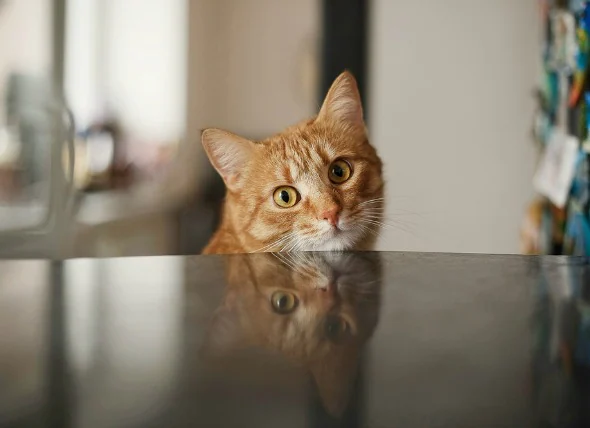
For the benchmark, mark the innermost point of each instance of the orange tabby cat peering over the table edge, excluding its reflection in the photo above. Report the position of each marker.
(315, 186)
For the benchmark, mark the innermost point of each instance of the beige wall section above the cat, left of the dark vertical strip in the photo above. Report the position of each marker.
(249, 69)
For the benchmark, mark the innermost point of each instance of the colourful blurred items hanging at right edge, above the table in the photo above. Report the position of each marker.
(561, 128)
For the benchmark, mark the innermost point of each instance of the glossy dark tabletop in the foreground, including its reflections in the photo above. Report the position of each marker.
(296, 340)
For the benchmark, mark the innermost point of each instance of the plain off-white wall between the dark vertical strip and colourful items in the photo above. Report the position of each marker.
(451, 109)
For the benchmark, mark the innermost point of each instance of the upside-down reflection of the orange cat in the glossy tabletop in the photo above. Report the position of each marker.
(315, 309)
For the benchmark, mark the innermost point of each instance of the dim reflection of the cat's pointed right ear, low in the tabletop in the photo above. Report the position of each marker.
(335, 376)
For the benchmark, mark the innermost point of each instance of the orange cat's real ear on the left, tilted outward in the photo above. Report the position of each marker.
(228, 153)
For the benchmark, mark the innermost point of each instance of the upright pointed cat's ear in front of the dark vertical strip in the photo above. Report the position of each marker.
(343, 102)
